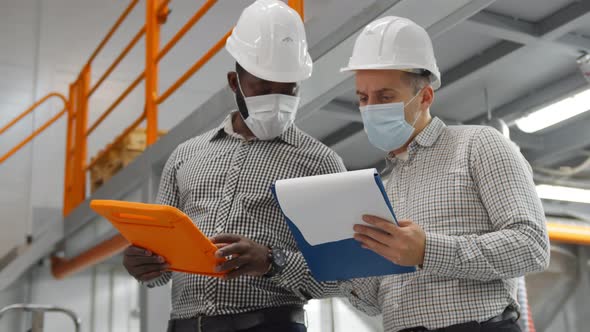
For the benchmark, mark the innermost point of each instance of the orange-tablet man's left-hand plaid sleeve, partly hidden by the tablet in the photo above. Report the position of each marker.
(168, 194)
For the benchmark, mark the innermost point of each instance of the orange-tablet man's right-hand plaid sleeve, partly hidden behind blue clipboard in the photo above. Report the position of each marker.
(296, 275)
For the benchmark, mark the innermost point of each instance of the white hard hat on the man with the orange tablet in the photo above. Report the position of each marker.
(269, 42)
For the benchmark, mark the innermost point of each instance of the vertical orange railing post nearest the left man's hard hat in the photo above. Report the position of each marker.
(151, 68)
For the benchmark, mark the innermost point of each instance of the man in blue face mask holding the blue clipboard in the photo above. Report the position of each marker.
(472, 221)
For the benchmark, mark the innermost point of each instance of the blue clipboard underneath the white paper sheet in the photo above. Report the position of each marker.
(344, 259)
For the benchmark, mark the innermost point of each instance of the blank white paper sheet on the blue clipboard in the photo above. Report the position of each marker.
(326, 207)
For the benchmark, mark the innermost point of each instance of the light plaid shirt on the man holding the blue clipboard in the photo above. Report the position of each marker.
(474, 196)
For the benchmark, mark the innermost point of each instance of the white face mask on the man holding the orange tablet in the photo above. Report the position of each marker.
(270, 115)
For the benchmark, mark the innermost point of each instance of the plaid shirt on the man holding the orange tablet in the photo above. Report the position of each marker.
(222, 182)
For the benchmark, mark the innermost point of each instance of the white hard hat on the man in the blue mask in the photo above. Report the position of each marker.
(394, 43)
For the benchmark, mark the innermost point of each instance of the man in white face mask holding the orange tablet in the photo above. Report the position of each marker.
(222, 180)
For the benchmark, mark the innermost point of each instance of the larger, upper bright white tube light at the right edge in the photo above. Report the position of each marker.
(555, 113)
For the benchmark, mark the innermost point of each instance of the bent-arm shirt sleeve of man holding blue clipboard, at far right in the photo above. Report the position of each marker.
(519, 243)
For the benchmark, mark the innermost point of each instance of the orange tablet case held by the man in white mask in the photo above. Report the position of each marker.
(164, 230)
